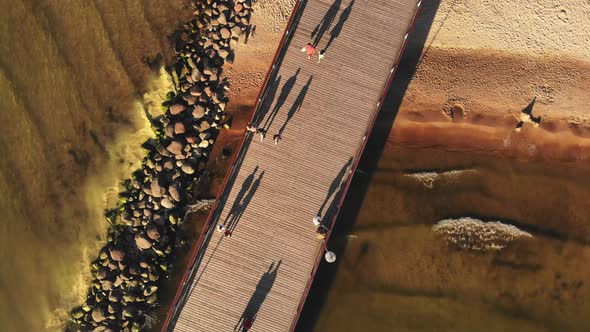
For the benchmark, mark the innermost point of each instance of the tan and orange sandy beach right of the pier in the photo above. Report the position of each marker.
(489, 59)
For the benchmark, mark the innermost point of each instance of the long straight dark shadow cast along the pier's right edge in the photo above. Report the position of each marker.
(368, 163)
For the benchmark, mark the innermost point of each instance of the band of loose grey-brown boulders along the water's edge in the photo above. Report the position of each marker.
(128, 271)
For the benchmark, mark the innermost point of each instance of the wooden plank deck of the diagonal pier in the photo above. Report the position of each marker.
(273, 192)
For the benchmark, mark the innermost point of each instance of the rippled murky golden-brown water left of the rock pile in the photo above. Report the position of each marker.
(72, 78)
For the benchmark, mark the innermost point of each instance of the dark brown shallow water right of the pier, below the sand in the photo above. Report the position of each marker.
(396, 274)
